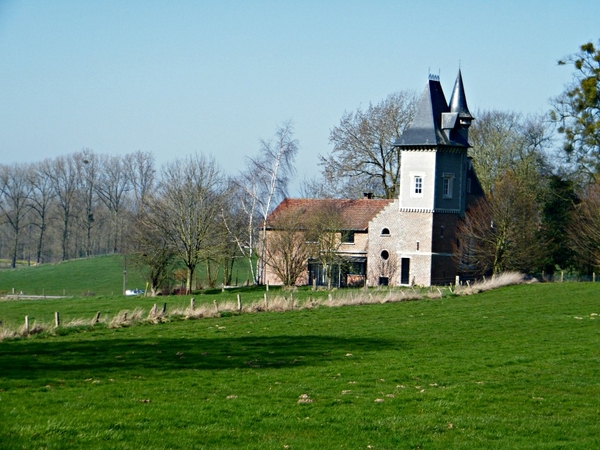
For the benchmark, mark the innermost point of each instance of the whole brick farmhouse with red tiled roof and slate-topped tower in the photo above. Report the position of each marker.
(407, 240)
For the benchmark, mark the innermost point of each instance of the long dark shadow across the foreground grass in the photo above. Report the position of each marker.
(46, 359)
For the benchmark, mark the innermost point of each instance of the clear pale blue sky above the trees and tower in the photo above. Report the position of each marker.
(177, 77)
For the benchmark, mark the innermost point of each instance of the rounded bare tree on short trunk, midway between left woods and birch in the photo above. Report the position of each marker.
(186, 209)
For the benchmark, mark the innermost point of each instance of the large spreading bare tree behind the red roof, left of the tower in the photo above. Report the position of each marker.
(363, 158)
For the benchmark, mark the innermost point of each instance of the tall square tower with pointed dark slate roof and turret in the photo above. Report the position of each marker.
(434, 183)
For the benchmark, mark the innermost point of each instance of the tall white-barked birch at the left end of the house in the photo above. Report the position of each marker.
(264, 183)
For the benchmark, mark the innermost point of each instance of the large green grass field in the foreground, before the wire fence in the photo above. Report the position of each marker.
(512, 368)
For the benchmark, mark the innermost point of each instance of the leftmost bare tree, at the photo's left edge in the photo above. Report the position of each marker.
(14, 204)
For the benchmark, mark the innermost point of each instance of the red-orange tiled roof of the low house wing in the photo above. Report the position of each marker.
(355, 214)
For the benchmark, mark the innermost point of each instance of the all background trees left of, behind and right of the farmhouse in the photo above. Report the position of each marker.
(540, 212)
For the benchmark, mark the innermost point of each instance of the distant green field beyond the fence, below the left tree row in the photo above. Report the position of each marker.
(101, 275)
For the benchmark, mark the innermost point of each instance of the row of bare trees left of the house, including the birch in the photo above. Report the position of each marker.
(171, 219)
